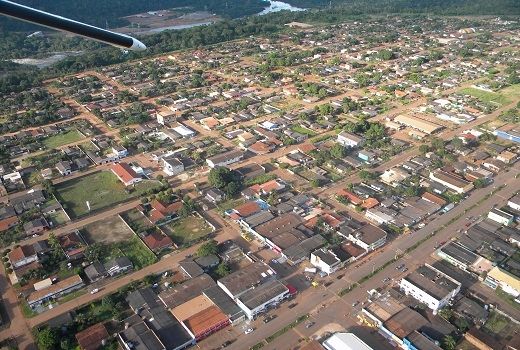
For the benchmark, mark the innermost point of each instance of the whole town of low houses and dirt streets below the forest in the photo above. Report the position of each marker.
(362, 194)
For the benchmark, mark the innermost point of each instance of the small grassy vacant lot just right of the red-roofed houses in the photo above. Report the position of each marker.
(187, 230)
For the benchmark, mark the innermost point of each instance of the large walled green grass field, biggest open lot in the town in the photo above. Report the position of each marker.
(102, 189)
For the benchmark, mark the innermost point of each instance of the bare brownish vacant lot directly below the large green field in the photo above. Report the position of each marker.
(107, 231)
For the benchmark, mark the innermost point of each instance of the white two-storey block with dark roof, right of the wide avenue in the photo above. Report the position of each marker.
(430, 287)
